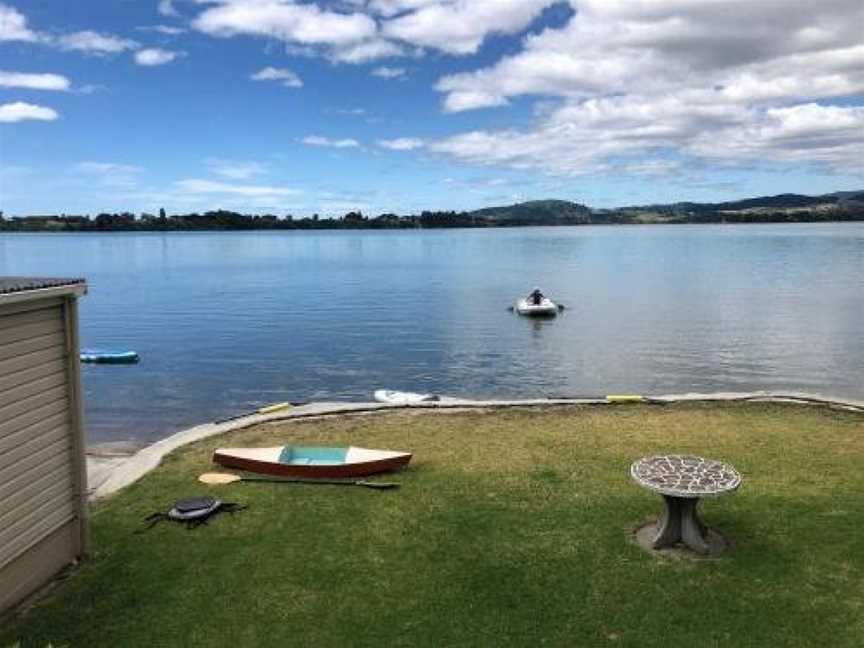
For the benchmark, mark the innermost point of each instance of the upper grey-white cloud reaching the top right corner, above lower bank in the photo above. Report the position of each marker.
(613, 46)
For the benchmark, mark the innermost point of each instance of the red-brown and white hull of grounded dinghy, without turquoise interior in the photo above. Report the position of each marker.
(368, 462)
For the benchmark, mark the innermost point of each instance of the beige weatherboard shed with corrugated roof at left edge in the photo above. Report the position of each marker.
(43, 479)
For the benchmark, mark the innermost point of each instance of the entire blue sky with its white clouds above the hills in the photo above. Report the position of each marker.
(401, 105)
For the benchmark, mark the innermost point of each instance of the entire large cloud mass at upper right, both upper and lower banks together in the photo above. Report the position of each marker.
(725, 82)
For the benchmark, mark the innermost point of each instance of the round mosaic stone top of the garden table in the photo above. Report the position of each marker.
(685, 476)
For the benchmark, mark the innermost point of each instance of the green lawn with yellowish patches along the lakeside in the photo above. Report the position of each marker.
(512, 527)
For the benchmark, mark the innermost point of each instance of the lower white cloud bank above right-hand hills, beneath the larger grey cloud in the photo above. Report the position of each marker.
(601, 135)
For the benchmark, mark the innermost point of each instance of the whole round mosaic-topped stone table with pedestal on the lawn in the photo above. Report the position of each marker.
(682, 480)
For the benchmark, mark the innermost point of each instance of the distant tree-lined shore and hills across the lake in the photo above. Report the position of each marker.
(784, 208)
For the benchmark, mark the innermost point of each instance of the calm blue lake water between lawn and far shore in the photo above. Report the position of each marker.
(225, 322)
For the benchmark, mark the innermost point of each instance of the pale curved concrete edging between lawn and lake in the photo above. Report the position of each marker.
(112, 467)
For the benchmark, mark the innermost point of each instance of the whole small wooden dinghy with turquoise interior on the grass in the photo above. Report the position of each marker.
(296, 461)
